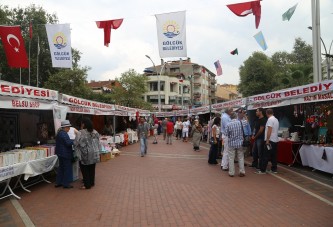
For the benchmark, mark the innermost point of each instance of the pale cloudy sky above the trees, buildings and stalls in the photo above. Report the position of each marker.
(212, 32)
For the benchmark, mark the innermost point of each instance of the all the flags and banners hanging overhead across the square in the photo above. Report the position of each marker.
(171, 29)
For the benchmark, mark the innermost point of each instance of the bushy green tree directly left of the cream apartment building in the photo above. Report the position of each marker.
(130, 93)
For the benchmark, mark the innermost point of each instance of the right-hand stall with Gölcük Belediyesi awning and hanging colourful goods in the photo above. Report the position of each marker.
(306, 117)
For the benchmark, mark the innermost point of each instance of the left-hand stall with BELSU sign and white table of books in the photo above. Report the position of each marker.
(26, 120)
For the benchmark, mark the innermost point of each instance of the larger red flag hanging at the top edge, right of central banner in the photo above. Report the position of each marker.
(245, 8)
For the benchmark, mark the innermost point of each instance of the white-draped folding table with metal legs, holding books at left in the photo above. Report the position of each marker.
(26, 169)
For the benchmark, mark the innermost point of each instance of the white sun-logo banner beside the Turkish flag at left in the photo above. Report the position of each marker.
(59, 37)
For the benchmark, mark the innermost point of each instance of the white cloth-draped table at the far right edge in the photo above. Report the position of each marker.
(311, 155)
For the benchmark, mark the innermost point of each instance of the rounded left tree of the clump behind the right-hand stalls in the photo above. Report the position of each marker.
(256, 75)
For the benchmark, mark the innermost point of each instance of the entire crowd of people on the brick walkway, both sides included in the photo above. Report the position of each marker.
(229, 137)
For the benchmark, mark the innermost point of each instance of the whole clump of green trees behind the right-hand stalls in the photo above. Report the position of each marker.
(261, 74)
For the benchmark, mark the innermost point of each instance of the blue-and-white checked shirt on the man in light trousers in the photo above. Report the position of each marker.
(234, 133)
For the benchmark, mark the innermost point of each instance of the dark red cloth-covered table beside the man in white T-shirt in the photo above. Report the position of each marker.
(288, 151)
